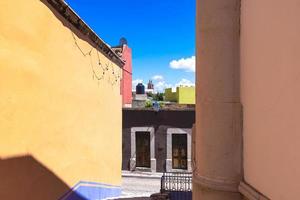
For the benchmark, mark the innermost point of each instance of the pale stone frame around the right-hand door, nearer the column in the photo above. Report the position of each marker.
(170, 132)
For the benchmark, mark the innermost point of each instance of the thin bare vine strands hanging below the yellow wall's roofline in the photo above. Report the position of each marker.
(102, 69)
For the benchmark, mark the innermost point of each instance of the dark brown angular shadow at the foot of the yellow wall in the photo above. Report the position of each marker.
(26, 178)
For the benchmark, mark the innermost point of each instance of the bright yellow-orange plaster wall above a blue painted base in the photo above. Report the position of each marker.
(52, 110)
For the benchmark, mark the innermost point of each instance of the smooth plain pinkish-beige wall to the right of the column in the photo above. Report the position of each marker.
(270, 85)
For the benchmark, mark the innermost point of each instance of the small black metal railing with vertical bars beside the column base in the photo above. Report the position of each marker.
(176, 181)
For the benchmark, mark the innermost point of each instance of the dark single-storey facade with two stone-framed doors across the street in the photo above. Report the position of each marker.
(157, 141)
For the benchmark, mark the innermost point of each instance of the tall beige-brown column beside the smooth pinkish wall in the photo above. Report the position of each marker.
(218, 140)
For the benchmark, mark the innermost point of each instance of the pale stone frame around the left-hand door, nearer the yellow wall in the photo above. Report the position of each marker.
(133, 148)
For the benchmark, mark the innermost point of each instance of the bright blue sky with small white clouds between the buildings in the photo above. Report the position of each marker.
(158, 31)
